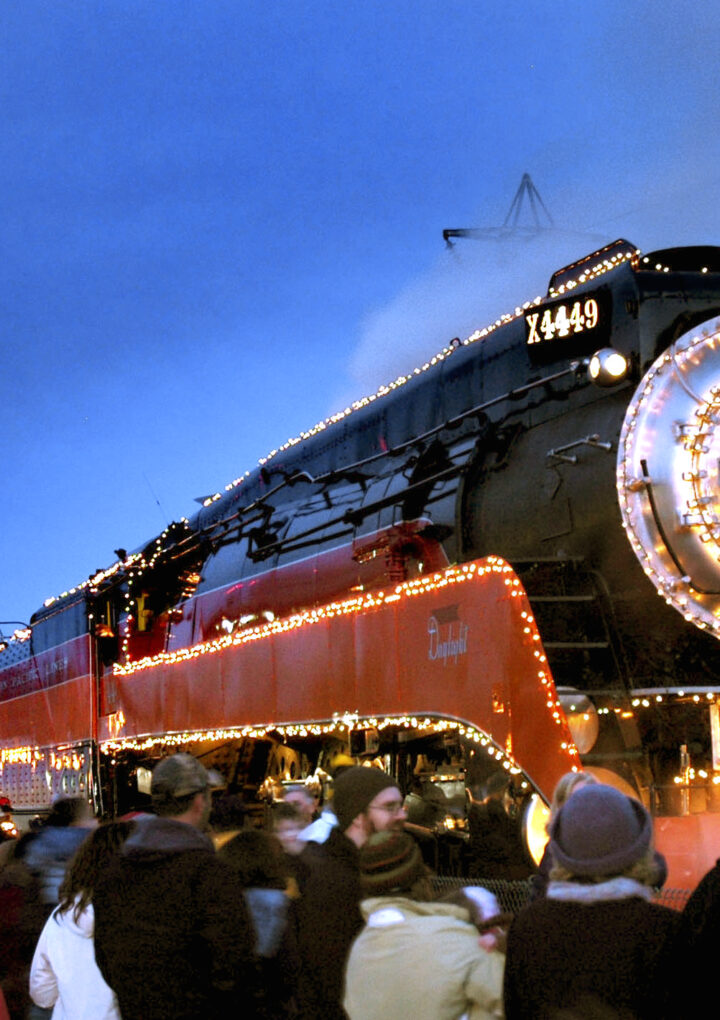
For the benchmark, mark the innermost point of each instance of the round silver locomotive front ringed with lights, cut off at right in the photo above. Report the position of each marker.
(668, 475)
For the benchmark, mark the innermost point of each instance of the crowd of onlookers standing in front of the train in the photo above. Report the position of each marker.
(335, 916)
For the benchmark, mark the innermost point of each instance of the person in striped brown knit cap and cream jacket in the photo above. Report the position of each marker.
(417, 957)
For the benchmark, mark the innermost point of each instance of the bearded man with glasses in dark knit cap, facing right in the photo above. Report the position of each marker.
(366, 801)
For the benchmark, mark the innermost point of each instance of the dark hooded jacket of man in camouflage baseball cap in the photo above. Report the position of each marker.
(173, 937)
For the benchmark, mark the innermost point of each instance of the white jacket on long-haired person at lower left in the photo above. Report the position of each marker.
(65, 975)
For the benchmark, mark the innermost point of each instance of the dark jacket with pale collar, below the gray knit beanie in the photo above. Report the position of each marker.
(587, 948)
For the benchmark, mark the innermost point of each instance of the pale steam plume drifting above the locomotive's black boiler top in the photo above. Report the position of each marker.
(471, 286)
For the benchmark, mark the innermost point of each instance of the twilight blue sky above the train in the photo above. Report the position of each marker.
(222, 221)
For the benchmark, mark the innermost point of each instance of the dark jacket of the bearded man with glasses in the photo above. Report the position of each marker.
(329, 920)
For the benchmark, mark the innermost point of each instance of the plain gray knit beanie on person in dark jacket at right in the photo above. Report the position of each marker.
(600, 832)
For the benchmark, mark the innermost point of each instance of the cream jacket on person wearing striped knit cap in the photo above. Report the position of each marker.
(424, 961)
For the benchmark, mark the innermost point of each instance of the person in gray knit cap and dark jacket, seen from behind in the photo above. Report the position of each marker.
(597, 942)
